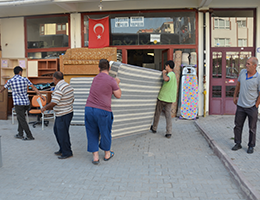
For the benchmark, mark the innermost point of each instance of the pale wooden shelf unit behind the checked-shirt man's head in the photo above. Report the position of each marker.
(8, 65)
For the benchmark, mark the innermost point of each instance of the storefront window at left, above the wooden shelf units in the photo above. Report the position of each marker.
(47, 33)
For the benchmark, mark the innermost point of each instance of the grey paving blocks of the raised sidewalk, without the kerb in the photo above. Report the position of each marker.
(220, 129)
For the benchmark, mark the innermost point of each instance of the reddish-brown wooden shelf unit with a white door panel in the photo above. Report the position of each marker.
(41, 71)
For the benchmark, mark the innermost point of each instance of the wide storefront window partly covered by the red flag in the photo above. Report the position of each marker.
(149, 28)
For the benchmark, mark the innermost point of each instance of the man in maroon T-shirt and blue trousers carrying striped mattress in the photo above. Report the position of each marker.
(98, 113)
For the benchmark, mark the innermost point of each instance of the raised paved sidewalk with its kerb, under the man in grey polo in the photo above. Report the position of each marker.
(218, 130)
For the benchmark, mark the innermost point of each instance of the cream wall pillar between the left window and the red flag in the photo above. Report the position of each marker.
(75, 34)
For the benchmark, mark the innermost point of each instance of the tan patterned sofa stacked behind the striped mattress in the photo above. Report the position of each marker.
(83, 62)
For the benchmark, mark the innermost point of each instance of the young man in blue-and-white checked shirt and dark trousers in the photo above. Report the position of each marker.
(21, 101)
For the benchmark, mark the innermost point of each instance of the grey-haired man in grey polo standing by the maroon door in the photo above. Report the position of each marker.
(248, 87)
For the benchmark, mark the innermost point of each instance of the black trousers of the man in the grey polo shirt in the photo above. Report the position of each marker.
(241, 114)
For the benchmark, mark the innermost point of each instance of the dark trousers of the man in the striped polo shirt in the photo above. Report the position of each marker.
(61, 131)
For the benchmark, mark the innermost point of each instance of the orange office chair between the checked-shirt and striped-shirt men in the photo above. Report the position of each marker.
(48, 114)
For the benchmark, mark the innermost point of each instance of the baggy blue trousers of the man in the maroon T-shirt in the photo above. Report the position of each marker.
(98, 122)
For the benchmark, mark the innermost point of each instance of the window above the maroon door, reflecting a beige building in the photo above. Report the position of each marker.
(232, 29)
